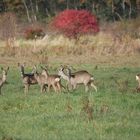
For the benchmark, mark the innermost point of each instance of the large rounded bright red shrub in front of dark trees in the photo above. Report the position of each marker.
(73, 23)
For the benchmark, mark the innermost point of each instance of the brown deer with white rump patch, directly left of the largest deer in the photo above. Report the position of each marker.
(52, 80)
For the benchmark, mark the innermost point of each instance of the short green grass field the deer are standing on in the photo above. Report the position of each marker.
(47, 116)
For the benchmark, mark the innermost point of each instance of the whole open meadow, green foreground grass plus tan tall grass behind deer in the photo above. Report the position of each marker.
(113, 113)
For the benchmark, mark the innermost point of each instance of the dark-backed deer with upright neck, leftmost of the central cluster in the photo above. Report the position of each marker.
(27, 78)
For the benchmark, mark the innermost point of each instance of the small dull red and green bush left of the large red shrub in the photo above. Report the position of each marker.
(32, 33)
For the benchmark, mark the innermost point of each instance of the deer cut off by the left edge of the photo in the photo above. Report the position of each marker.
(3, 78)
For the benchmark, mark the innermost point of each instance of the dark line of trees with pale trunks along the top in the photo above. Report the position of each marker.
(44, 10)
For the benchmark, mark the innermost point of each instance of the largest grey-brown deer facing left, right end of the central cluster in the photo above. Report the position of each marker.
(79, 77)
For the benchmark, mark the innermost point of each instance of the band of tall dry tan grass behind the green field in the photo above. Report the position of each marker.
(114, 39)
